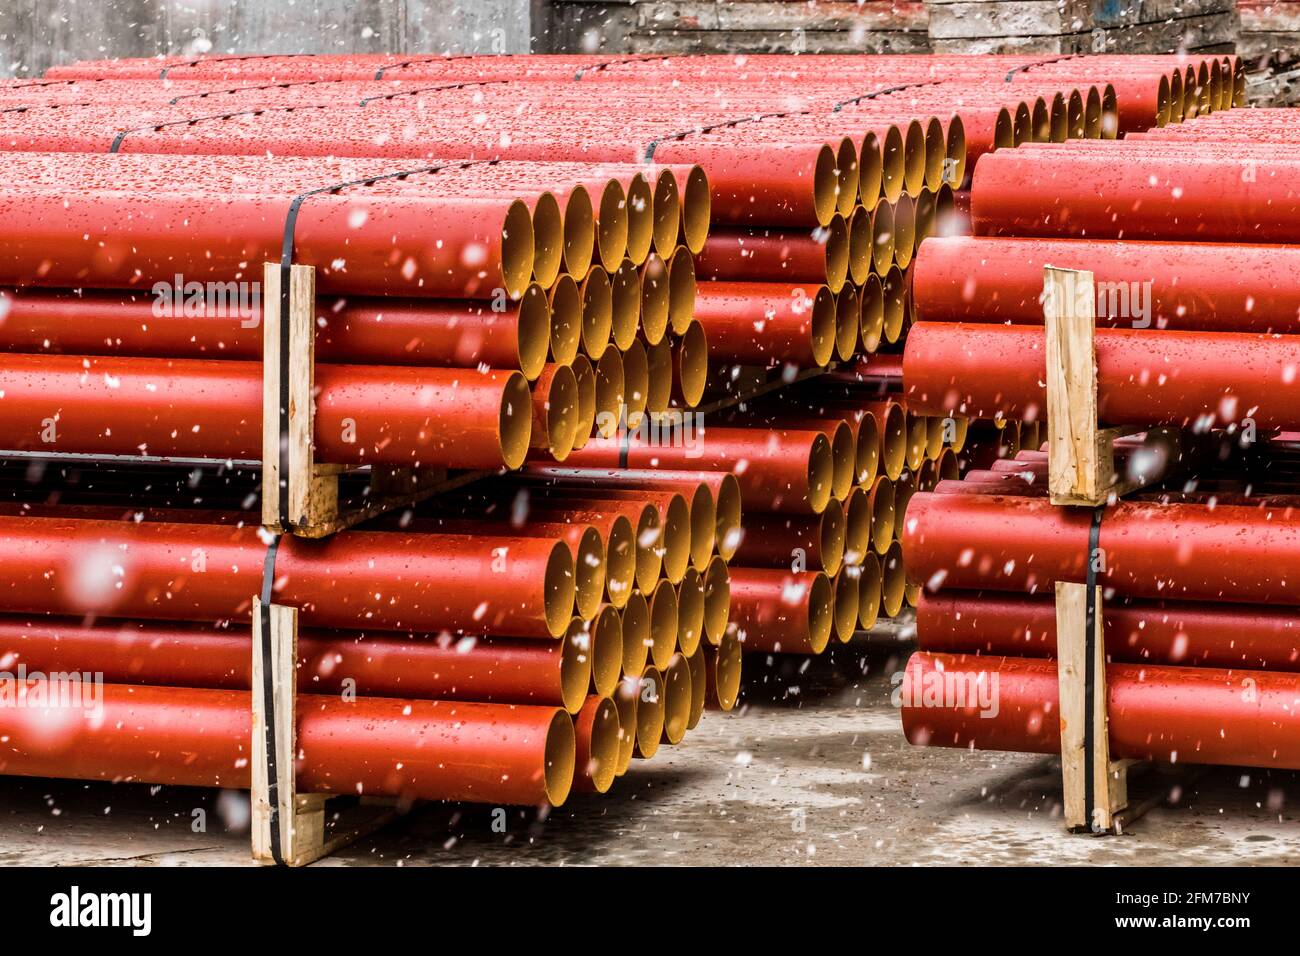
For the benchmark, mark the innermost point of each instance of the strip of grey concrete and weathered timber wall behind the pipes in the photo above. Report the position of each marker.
(38, 33)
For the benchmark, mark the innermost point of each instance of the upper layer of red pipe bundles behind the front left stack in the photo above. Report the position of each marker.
(872, 148)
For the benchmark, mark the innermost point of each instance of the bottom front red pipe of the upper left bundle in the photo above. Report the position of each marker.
(201, 409)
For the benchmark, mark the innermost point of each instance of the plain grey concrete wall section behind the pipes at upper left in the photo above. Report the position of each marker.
(36, 34)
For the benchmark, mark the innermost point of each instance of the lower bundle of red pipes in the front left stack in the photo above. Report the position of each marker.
(549, 643)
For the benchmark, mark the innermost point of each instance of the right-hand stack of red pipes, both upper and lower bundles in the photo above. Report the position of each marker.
(1197, 328)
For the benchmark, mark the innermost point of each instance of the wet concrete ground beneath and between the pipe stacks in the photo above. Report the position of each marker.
(812, 769)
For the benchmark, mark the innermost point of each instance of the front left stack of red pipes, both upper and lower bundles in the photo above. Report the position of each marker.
(501, 677)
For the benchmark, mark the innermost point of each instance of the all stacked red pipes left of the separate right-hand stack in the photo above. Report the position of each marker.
(473, 626)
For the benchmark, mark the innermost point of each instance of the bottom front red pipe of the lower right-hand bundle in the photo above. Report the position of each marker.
(1168, 715)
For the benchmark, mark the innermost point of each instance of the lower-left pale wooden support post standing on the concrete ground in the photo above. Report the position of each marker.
(306, 833)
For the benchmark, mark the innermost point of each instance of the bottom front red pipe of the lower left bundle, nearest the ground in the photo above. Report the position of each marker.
(372, 746)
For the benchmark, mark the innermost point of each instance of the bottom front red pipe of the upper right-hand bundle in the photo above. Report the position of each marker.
(1145, 378)
